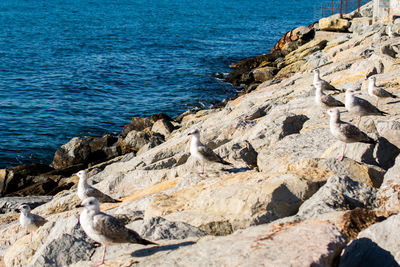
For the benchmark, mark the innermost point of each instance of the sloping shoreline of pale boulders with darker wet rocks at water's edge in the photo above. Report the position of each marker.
(287, 200)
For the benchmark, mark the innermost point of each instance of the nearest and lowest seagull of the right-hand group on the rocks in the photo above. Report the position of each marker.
(346, 132)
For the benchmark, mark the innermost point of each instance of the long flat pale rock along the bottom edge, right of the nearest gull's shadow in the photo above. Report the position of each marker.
(311, 243)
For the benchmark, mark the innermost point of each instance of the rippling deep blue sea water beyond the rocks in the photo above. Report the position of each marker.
(85, 68)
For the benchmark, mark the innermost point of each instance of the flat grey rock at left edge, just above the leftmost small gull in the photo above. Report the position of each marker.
(11, 204)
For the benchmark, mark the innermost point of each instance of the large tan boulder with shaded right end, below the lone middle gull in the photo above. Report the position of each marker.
(232, 202)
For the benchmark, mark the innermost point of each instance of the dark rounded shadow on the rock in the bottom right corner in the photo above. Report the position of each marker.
(364, 252)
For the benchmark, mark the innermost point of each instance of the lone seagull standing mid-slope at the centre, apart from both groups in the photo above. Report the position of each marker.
(203, 153)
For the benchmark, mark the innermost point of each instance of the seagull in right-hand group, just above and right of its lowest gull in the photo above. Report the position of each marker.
(359, 106)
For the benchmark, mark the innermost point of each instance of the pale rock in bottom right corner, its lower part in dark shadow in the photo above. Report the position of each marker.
(378, 245)
